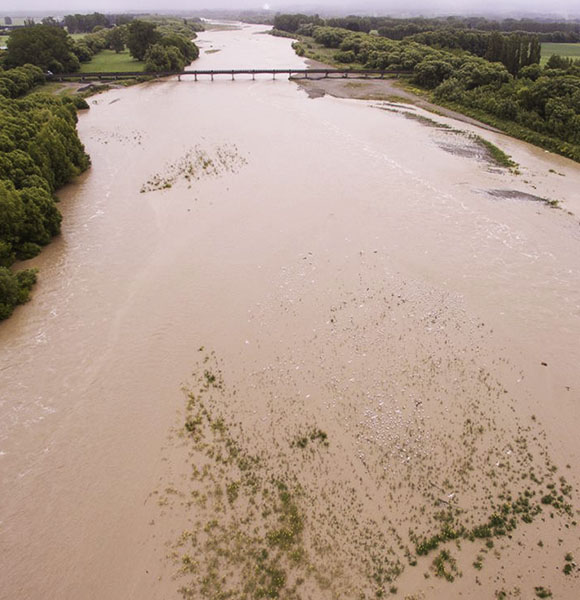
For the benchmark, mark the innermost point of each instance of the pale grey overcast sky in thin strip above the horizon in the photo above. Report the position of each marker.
(570, 7)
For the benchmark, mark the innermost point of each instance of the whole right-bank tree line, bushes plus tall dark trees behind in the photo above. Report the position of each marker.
(493, 76)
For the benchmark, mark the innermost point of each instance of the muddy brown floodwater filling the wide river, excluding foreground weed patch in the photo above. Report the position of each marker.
(239, 216)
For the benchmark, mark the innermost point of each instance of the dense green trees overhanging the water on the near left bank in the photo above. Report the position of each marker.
(40, 151)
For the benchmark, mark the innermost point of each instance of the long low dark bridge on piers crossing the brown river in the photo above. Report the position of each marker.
(212, 73)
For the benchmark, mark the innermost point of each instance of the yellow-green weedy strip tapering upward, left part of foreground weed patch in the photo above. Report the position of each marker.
(269, 559)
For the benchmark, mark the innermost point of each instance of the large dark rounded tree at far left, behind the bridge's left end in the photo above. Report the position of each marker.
(46, 46)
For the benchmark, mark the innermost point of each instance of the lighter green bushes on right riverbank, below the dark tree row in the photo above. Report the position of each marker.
(495, 100)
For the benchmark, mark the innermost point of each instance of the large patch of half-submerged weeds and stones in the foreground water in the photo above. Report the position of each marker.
(279, 518)
